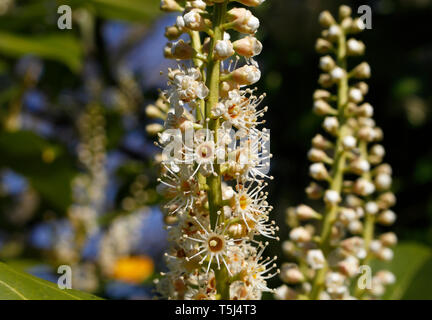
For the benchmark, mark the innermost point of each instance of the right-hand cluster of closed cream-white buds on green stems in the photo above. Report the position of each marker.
(332, 244)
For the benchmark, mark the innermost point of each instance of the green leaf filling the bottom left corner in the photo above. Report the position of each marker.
(15, 285)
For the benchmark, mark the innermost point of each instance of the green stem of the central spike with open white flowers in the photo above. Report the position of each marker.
(214, 182)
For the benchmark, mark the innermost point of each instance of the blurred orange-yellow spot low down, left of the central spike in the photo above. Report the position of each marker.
(133, 269)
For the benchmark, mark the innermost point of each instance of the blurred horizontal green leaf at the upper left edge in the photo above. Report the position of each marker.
(60, 47)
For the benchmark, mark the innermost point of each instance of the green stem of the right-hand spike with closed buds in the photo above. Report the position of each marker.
(337, 171)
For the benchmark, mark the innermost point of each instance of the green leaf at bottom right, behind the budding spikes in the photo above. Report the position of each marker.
(411, 265)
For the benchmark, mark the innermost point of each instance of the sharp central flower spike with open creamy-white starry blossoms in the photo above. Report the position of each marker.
(215, 157)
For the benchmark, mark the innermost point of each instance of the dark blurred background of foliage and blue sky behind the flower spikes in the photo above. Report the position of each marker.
(112, 57)
